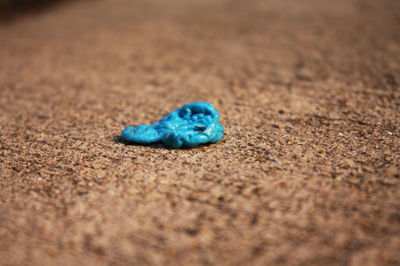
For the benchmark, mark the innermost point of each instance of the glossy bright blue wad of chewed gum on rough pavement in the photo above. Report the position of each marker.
(187, 127)
